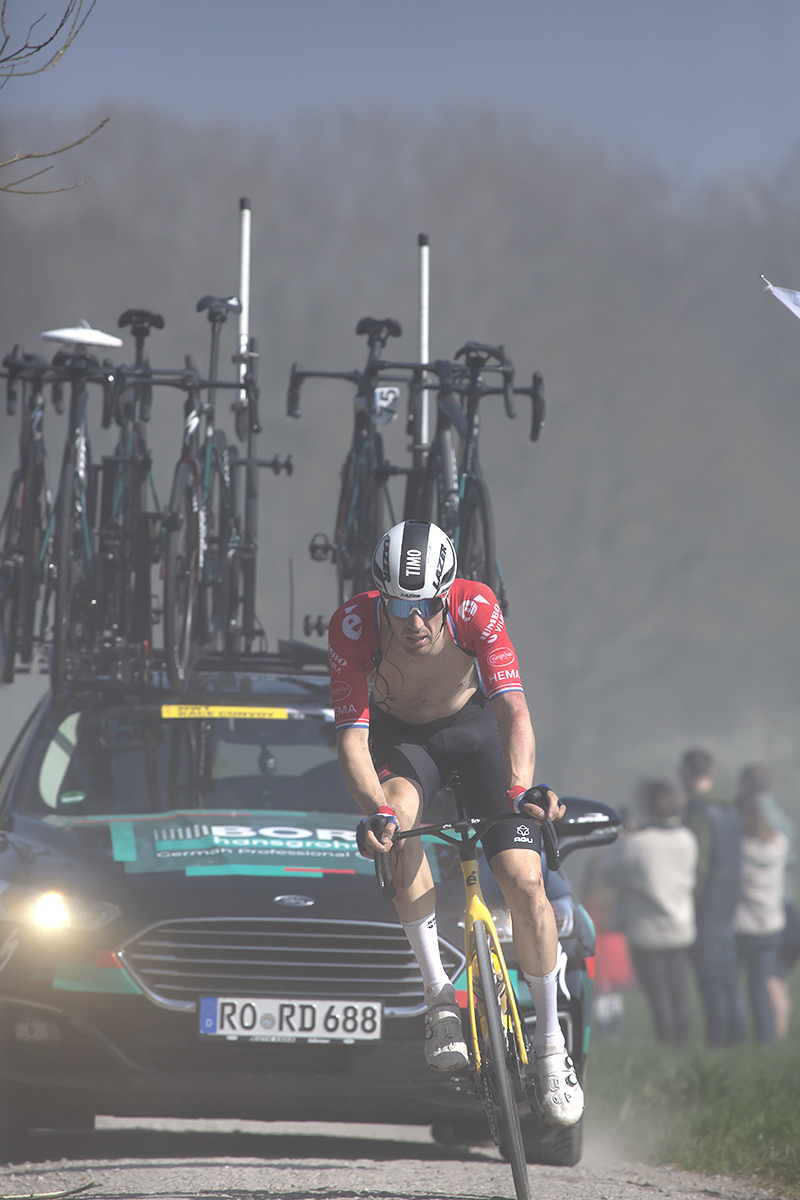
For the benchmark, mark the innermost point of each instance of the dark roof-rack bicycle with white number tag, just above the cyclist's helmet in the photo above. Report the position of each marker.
(364, 490)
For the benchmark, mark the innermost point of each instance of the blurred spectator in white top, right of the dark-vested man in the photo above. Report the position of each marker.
(761, 914)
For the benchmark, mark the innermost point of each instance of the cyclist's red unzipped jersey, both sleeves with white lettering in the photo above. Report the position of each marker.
(476, 625)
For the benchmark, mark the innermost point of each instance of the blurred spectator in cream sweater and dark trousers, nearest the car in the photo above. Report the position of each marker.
(654, 872)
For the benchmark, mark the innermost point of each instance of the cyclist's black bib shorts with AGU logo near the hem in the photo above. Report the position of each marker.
(468, 742)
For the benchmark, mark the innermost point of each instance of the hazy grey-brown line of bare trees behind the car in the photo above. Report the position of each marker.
(651, 541)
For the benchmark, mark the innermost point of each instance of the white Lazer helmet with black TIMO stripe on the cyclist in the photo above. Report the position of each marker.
(414, 567)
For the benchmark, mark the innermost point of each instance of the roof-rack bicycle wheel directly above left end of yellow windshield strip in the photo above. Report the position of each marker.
(183, 577)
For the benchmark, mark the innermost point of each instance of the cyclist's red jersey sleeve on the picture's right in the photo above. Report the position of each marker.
(480, 631)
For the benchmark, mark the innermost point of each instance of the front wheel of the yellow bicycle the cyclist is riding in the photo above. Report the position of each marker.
(496, 1085)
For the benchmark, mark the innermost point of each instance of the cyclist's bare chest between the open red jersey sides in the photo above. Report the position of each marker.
(428, 687)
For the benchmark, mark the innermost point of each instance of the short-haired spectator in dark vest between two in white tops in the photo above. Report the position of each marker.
(715, 824)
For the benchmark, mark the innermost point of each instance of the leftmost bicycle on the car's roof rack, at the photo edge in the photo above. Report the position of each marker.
(26, 526)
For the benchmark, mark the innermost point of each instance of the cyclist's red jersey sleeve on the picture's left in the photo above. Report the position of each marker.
(352, 641)
